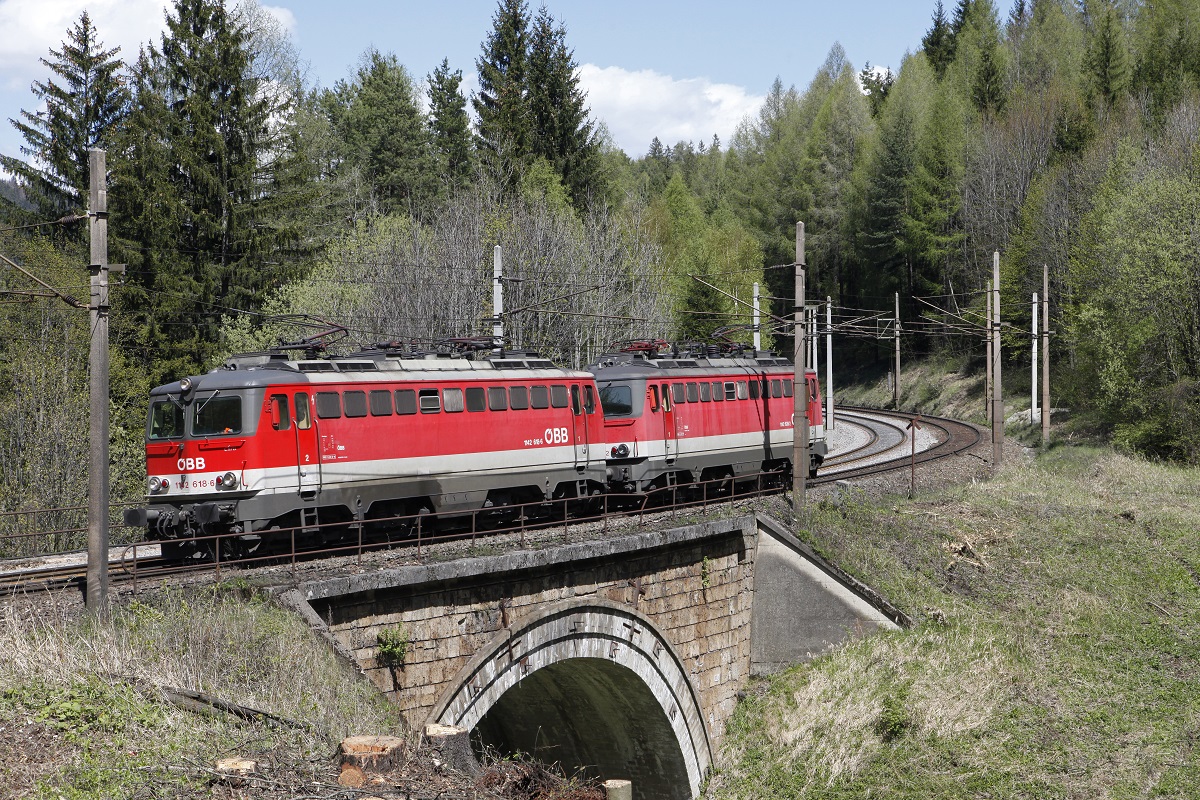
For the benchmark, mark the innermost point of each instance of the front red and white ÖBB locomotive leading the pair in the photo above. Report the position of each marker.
(272, 443)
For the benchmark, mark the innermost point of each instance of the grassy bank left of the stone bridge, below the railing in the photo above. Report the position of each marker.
(79, 696)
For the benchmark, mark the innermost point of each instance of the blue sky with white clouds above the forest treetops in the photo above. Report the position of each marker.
(677, 71)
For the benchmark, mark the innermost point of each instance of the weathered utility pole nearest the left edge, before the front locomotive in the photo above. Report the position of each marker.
(98, 468)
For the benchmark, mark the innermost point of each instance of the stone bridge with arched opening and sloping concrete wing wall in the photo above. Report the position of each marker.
(625, 654)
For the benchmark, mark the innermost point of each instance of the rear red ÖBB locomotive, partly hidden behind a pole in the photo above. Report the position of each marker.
(717, 414)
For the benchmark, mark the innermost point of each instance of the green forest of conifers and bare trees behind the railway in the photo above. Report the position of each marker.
(250, 208)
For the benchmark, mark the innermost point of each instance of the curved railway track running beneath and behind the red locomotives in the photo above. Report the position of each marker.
(881, 440)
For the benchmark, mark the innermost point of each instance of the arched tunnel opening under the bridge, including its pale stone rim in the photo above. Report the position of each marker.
(591, 685)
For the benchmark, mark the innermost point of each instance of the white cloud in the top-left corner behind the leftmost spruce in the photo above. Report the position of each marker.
(31, 28)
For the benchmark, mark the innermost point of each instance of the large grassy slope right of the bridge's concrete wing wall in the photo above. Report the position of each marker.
(1058, 652)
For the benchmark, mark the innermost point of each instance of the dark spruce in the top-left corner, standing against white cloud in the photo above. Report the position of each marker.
(83, 109)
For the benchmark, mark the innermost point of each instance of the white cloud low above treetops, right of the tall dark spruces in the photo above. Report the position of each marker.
(639, 106)
